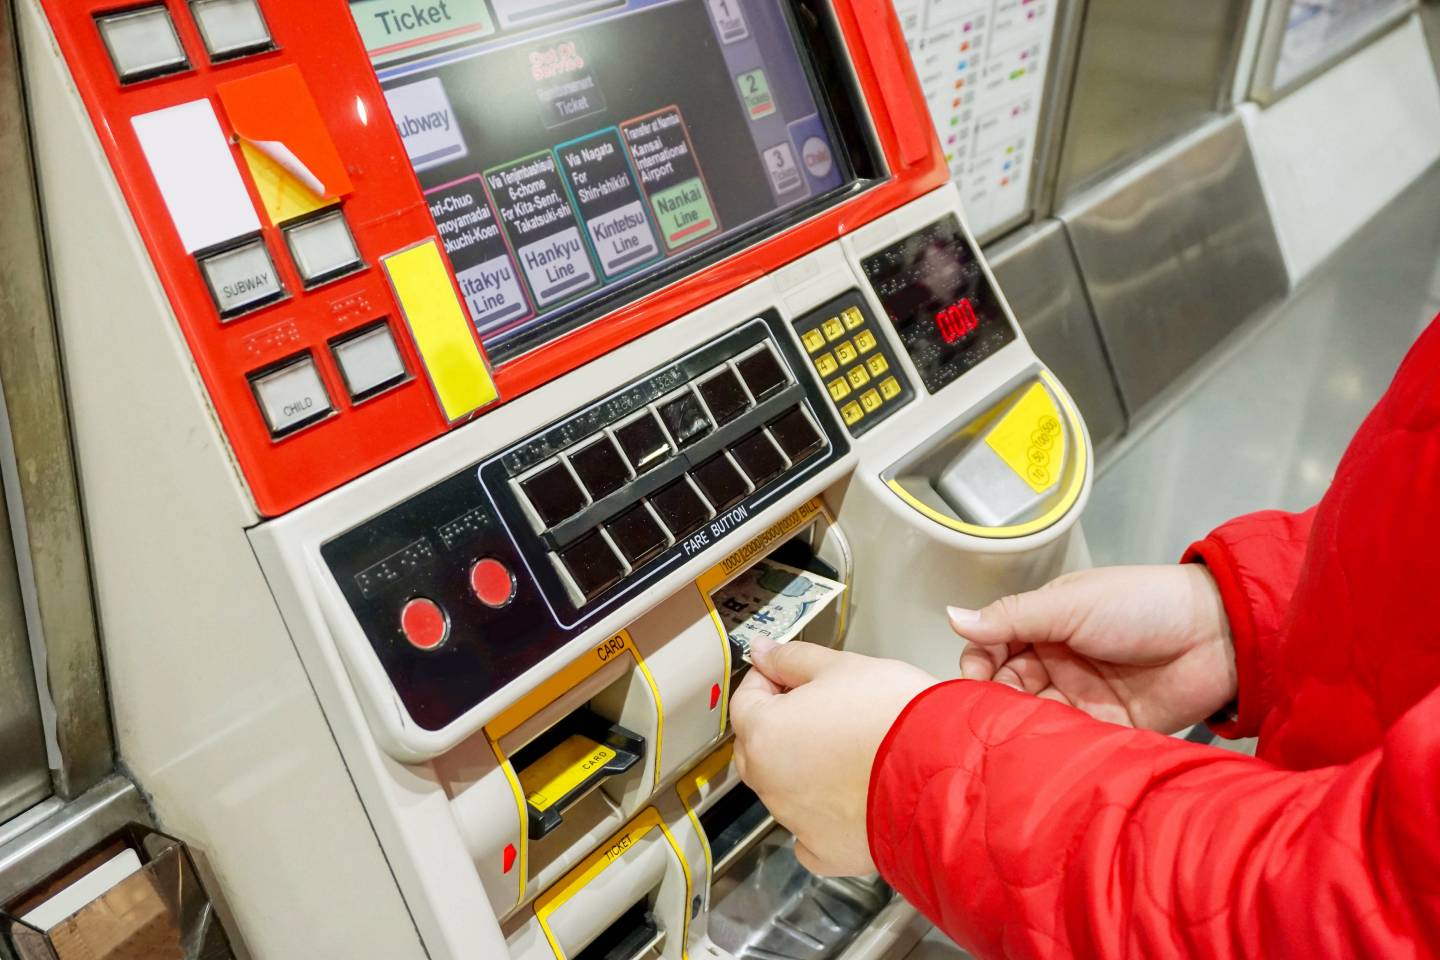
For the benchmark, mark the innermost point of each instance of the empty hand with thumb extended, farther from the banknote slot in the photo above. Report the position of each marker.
(1143, 647)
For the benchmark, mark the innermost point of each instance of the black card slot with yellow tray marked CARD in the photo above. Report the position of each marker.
(570, 761)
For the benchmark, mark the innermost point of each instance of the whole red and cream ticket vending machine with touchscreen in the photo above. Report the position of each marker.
(436, 365)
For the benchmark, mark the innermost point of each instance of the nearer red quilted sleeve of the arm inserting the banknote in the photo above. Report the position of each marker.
(1025, 828)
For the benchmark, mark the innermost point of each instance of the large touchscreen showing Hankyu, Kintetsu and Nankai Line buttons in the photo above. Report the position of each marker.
(577, 155)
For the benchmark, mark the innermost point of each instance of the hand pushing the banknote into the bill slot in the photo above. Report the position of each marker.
(809, 723)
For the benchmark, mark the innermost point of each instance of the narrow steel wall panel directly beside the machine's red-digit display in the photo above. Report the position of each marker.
(1043, 286)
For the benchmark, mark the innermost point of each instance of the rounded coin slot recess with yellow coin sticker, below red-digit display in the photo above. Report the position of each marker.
(1012, 471)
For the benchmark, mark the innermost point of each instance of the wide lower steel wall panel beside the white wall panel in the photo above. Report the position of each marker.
(1176, 254)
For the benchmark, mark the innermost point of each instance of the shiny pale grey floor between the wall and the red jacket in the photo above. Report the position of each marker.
(1271, 415)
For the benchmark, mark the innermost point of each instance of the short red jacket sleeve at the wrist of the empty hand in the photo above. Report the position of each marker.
(1256, 562)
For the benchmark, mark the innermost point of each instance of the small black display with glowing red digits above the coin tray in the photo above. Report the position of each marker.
(941, 302)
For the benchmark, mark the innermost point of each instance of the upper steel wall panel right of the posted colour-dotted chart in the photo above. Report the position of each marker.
(1147, 71)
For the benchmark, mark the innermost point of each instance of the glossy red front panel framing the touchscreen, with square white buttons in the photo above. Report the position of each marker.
(315, 372)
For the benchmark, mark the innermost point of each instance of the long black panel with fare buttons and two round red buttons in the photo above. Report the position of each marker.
(467, 585)
